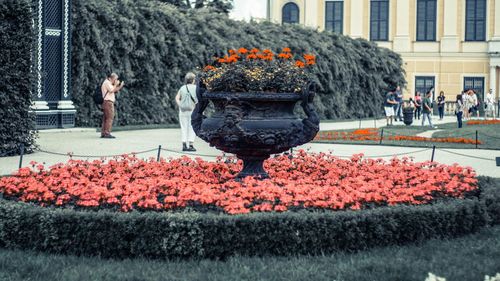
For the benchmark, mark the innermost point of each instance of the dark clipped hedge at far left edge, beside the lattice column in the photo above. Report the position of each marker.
(16, 123)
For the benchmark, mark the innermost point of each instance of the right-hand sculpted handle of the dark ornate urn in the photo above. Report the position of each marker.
(311, 123)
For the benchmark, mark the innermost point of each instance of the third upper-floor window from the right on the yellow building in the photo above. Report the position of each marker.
(379, 20)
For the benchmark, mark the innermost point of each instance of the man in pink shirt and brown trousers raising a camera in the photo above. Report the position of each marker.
(109, 88)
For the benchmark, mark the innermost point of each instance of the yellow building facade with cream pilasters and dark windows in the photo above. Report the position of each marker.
(448, 44)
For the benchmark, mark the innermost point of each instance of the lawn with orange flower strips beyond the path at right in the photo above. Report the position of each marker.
(489, 135)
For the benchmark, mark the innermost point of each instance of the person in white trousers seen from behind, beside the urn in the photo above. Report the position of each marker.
(186, 100)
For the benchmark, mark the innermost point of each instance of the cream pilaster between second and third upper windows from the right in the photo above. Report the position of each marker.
(402, 38)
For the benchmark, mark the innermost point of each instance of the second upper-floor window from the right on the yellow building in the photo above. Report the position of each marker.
(426, 20)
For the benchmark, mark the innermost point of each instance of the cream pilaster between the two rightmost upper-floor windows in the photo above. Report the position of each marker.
(450, 41)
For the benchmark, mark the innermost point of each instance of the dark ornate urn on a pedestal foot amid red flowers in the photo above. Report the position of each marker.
(254, 125)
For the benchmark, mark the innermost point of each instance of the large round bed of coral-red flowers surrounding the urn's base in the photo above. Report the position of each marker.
(305, 181)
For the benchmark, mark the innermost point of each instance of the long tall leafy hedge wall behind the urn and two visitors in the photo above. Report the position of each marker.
(151, 45)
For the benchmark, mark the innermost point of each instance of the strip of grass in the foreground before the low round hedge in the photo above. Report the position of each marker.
(467, 258)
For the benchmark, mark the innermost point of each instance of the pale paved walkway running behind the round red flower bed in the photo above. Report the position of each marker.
(86, 144)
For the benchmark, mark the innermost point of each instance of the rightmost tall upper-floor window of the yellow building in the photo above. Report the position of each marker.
(475, 20)
